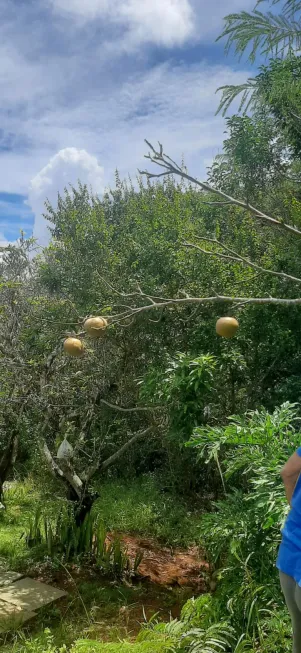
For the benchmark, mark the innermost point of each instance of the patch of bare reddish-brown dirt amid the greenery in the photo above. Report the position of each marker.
(164, 566)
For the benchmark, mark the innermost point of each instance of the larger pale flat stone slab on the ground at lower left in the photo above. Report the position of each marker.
(29, 595)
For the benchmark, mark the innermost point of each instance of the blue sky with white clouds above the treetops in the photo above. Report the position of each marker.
(83, 82)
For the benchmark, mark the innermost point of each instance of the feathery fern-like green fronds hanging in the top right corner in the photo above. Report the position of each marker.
(275, 35)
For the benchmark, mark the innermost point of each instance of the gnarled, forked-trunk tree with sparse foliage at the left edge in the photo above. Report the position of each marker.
(42, 399)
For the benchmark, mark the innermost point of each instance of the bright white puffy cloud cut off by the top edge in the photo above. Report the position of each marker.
(163, 22)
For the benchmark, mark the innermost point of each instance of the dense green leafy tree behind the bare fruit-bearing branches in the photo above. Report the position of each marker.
(137, 245)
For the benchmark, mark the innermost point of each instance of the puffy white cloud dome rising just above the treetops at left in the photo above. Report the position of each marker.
(66, 167)
